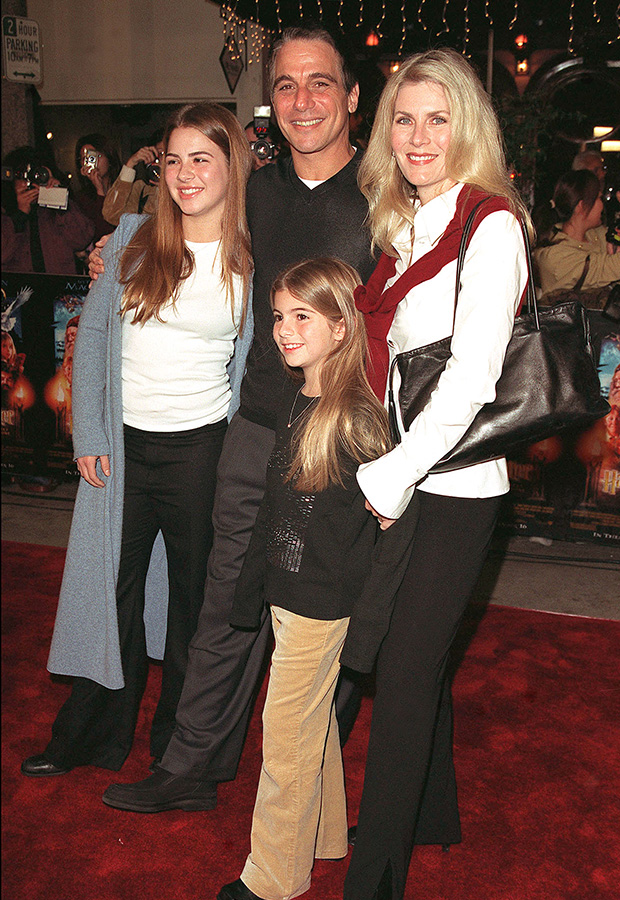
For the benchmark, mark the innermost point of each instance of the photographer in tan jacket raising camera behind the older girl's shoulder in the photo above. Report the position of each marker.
(130, 194)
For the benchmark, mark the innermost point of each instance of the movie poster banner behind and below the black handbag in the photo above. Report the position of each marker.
(568, 487)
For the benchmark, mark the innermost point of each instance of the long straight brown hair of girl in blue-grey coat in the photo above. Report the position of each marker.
(156, 260)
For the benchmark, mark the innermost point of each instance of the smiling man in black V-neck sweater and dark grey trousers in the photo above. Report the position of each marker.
(300, 207)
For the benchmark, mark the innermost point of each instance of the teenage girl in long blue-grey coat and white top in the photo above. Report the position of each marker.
(152, 389)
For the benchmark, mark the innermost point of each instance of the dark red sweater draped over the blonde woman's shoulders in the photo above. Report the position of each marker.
(379, 305)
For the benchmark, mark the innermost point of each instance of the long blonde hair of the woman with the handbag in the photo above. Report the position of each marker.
(475, 155)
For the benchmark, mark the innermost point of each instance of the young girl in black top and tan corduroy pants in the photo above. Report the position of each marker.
(307, 559)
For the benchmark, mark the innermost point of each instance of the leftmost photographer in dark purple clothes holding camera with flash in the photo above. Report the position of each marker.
(37, 238)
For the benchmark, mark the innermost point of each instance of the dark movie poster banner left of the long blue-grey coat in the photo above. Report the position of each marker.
(40, 317)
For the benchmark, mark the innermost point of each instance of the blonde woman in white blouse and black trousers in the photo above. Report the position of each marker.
(435, 150)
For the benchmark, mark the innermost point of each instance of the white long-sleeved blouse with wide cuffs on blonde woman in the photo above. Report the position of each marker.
(493, 280)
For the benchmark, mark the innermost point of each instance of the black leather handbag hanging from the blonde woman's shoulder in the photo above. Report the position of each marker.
(548, 383)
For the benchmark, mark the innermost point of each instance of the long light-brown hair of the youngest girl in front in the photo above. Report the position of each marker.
(348, 423)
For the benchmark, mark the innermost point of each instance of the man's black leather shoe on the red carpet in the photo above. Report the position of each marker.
(162, 791)
